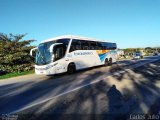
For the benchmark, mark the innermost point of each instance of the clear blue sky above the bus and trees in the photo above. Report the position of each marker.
(129, 23)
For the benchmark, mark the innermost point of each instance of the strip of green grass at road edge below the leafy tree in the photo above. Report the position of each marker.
(10, 75)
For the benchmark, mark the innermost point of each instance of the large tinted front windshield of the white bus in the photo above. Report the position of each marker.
(43, 56)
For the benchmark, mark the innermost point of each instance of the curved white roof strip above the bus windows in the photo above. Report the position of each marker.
(73, 37)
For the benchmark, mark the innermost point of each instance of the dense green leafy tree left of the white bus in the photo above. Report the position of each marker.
(14, 53)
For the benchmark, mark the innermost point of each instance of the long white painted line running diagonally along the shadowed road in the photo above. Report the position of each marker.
(72, 90)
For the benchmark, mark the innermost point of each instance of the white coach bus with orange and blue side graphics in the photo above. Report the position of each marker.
(70, 53)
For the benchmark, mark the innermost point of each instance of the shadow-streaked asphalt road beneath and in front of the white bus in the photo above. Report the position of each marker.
(88, 91)
